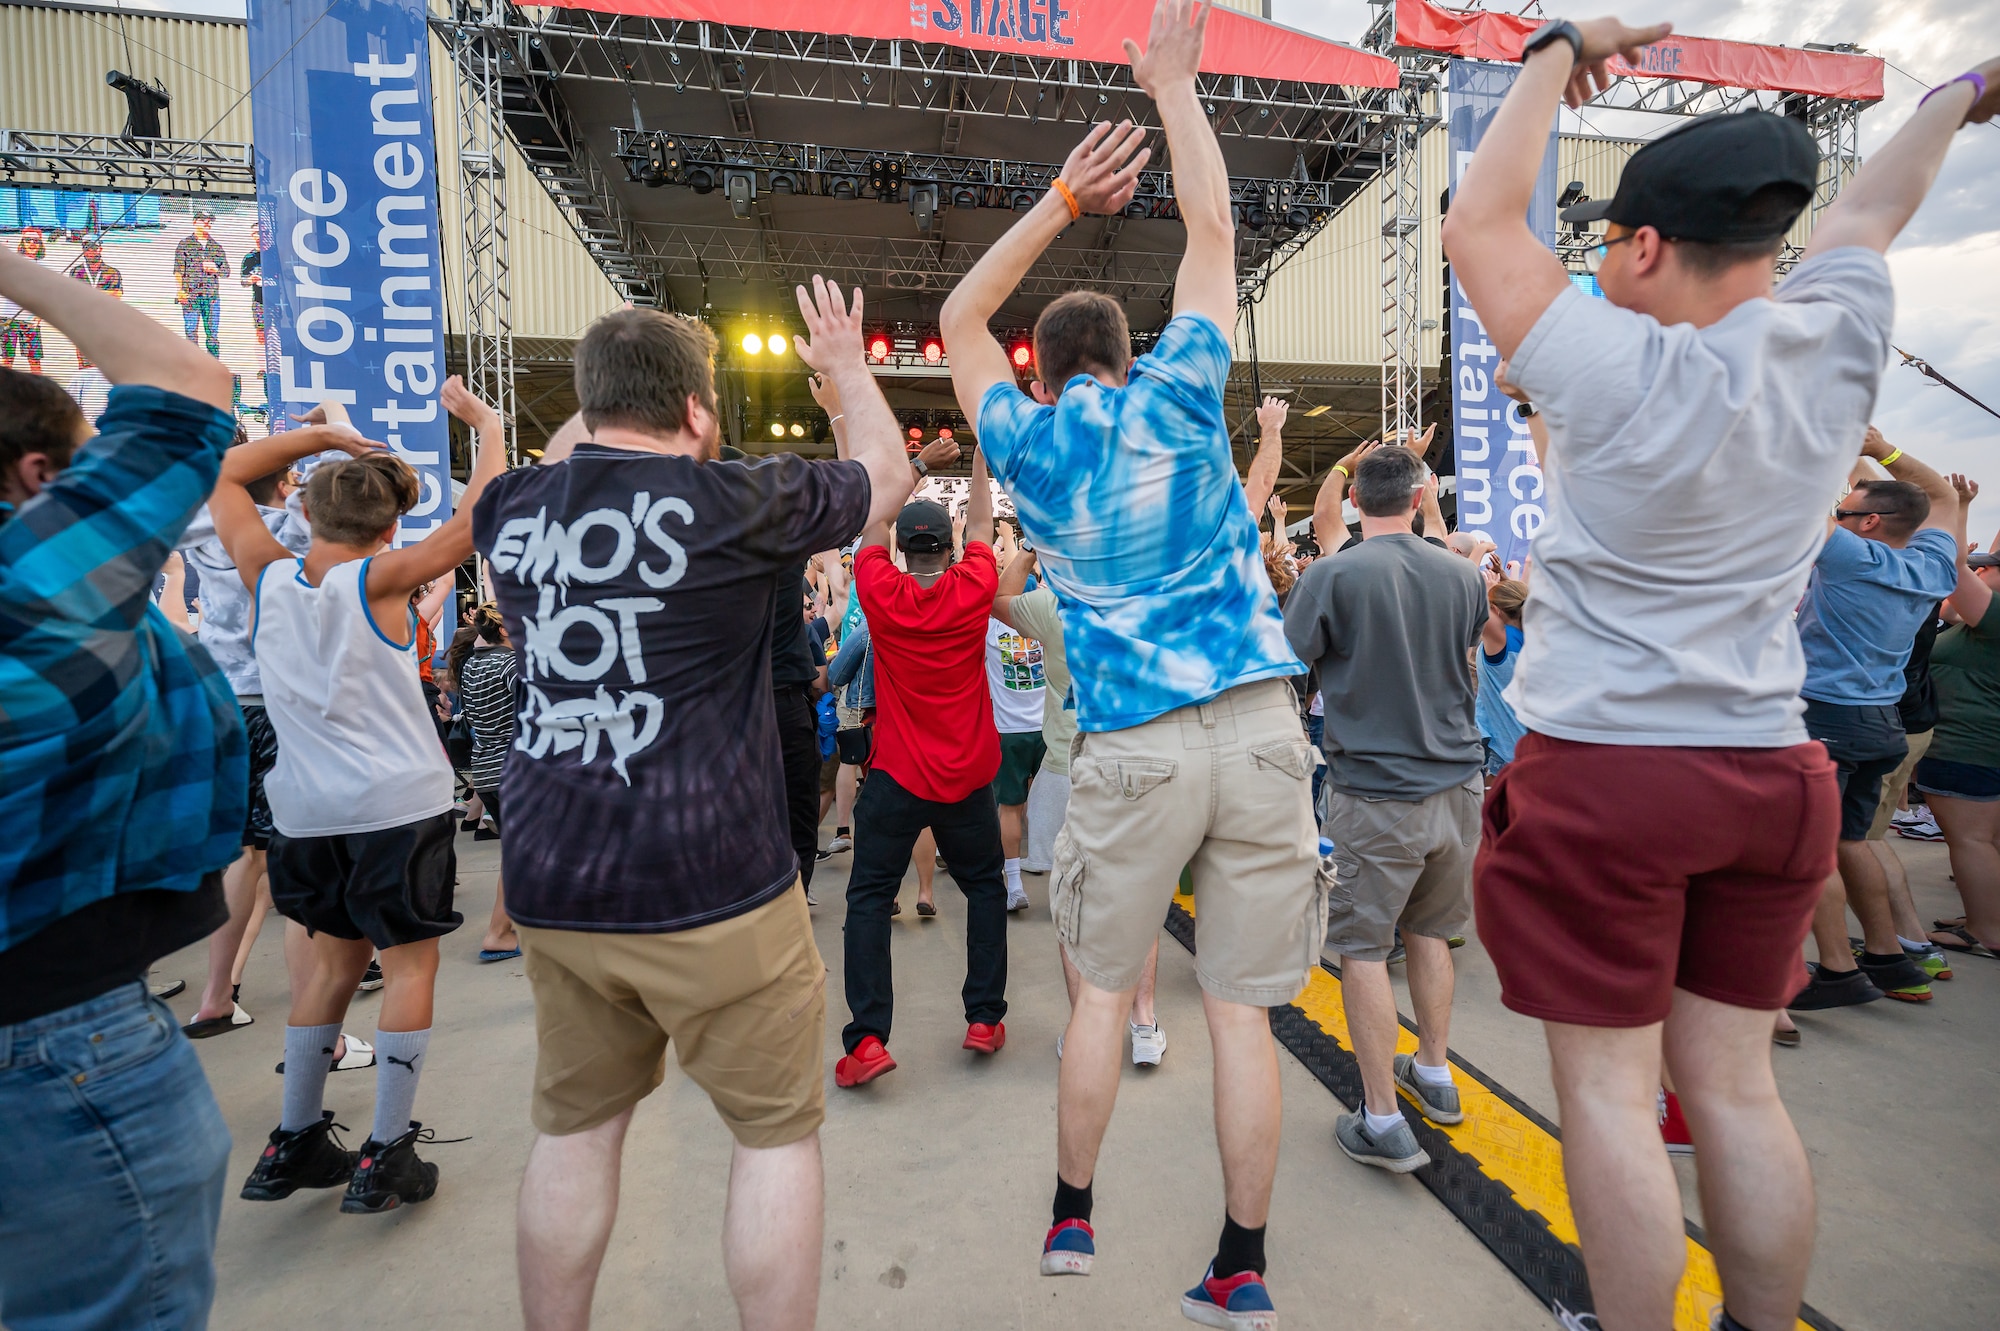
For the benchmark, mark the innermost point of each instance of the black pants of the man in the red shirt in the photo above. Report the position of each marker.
(887, 824)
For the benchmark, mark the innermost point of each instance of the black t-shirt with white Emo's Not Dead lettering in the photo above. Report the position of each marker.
(645, 790)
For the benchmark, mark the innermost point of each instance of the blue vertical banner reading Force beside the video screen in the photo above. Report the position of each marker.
(349, 199)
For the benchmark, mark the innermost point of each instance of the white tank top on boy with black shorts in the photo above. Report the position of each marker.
(357, 746)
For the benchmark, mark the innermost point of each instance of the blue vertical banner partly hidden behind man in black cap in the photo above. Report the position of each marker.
(1499, 477)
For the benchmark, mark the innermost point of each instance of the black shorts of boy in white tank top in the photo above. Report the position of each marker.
(389, 886)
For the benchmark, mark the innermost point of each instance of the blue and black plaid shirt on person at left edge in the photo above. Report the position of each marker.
(123, 758)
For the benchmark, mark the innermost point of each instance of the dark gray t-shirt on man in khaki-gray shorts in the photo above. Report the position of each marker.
(1391, 627)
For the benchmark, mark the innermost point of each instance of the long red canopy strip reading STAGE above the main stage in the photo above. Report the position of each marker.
(1045, 29)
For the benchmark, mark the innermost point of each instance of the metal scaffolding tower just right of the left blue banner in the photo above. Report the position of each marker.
(489, 313)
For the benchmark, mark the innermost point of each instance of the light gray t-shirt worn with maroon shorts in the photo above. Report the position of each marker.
(1689, 481)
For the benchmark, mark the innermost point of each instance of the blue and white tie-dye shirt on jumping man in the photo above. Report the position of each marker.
(1143, 533)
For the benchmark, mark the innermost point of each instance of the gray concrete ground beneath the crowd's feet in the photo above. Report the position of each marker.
(939, 1176)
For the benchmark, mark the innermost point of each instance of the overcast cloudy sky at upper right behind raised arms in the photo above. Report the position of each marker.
(1947, 265)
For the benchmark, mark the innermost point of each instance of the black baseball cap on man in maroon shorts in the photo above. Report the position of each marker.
(1697, 181)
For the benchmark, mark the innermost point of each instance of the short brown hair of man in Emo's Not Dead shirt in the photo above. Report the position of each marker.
(637, 371)
